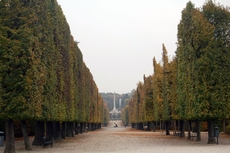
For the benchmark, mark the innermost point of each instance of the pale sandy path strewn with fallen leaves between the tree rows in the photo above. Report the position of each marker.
(128, 140)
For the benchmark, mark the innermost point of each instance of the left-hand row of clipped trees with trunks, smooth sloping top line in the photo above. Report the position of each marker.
(43, 77)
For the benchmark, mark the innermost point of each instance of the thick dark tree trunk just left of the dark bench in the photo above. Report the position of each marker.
(39, 134)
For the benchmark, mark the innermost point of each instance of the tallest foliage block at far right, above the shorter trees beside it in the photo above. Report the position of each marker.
(203, 63)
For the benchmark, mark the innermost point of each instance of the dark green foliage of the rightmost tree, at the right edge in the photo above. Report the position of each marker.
(219, 59)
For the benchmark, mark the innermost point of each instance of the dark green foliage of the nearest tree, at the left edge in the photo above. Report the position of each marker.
(14, 60)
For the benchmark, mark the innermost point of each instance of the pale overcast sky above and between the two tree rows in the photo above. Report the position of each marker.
(119, 38)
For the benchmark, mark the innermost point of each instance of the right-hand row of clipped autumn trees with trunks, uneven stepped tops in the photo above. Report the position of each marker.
(195, 84)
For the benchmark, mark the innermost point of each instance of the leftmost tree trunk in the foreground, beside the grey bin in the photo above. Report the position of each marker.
(10, 144)
